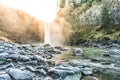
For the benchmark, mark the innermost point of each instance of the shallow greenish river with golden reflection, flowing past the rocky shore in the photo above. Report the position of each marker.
(105, 71)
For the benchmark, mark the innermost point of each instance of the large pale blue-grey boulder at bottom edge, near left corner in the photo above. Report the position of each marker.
(18, 74)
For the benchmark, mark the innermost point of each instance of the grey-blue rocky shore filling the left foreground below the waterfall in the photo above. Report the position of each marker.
(34, 62)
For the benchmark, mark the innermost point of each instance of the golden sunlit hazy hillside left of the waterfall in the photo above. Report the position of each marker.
(20, 26)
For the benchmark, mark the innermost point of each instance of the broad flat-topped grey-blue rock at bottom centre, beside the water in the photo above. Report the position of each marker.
(65, 73)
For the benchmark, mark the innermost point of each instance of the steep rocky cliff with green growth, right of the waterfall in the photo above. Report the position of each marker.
(91, 19)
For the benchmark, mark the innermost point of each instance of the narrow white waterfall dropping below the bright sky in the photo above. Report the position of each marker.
(47, 33)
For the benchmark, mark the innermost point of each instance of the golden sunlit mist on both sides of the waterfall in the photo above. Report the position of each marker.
(24, 28)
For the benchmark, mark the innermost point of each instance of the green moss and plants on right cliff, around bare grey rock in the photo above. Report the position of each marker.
(83, 33)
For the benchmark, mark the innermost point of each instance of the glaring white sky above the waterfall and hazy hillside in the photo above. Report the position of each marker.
(41, 9)
